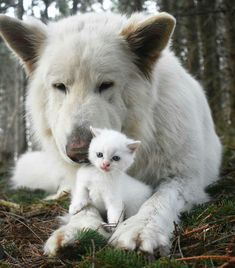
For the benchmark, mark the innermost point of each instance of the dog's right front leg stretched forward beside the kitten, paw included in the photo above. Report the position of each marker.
(152, 227)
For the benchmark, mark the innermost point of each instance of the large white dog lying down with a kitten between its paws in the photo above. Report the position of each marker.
(111, 71)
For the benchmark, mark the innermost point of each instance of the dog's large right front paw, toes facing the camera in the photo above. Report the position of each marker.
(141, 234)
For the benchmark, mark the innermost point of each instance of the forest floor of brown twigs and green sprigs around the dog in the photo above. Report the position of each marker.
(204, 238)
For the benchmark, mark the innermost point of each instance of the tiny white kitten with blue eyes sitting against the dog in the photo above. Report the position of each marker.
(105, 184)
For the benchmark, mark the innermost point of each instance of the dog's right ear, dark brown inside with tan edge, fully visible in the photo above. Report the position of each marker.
(148, 38)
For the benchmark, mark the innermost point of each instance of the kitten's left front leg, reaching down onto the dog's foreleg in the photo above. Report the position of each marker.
(80, 199)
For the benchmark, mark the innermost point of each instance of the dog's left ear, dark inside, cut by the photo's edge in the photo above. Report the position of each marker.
(26, 40)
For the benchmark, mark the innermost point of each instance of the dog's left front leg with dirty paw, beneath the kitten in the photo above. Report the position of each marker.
(88, 218)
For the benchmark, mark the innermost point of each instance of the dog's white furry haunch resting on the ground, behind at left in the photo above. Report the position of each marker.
(38, 170)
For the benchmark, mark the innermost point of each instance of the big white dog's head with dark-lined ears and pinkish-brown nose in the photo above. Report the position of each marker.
(88, 70)
